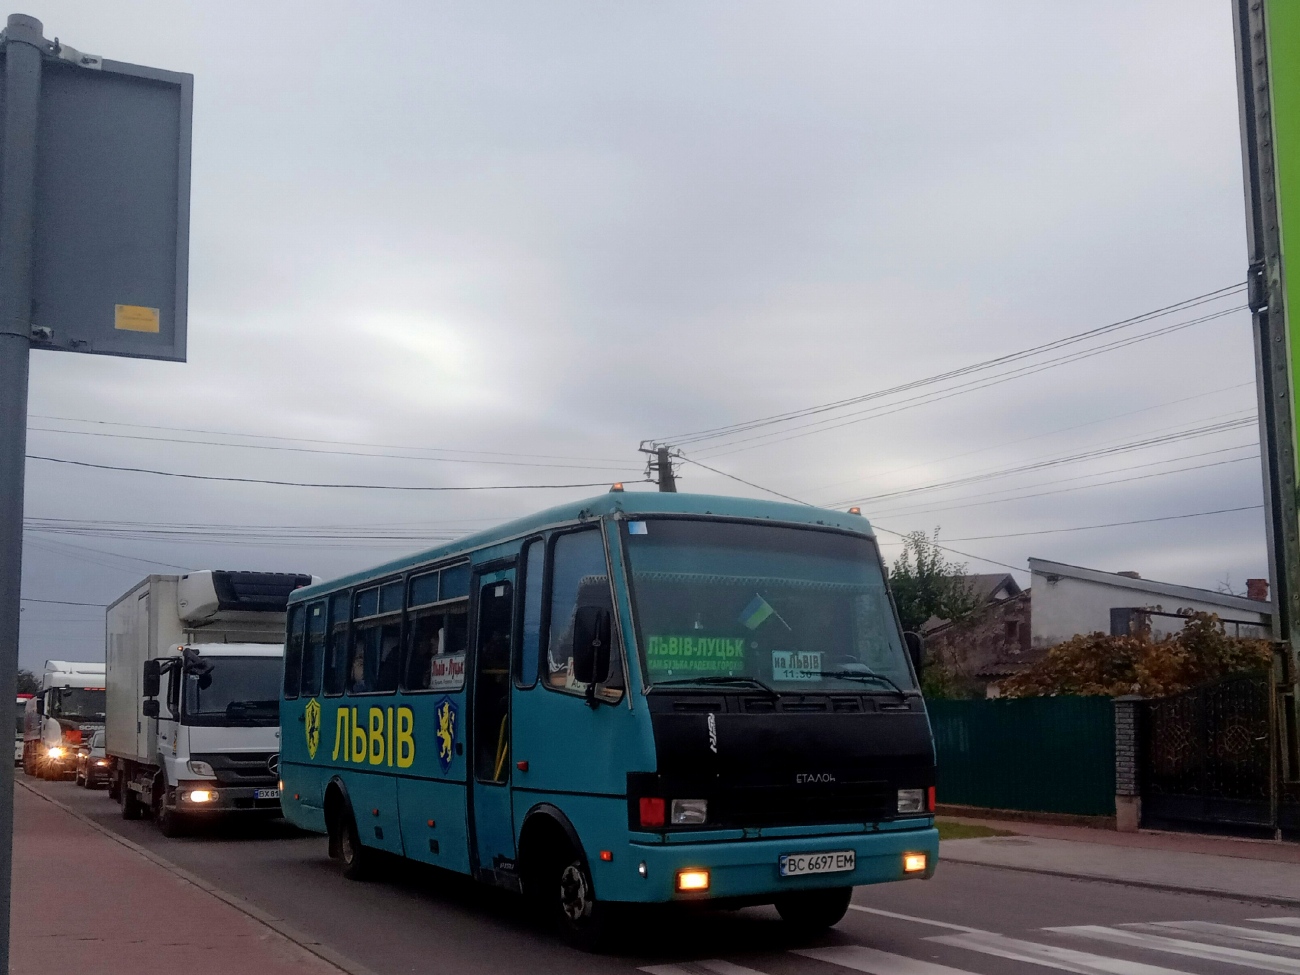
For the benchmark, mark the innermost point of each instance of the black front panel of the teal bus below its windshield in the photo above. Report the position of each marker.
(795, 761)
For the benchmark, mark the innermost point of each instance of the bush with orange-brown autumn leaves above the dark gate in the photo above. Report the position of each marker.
(1098, 664)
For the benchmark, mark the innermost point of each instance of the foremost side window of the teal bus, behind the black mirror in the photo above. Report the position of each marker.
(579, 579)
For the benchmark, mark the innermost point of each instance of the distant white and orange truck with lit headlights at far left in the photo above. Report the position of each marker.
(68, 710)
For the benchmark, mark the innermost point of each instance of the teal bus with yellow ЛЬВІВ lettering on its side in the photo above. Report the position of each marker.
(638, 699)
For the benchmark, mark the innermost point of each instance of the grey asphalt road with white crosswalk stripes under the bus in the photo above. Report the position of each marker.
(993, 922)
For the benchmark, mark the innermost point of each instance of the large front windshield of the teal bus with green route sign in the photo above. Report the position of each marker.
(796, 610)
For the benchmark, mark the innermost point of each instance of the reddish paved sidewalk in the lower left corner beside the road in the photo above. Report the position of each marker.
(98, 905)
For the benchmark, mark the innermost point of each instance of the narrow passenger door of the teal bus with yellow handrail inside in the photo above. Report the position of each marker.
(493, 825)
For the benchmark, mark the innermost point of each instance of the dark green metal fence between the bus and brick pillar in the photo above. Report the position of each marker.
(1043, 755)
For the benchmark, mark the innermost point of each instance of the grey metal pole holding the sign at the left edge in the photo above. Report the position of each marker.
(24, 47)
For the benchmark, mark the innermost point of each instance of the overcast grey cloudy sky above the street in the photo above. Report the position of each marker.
(560, 229)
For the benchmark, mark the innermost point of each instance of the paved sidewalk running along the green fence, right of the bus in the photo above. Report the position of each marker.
(1251, 869)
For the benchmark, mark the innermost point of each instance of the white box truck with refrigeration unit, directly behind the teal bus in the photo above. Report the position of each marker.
(194, 666)
